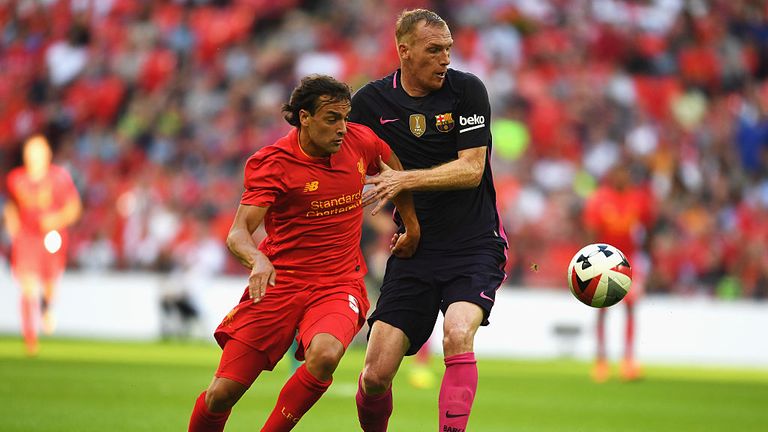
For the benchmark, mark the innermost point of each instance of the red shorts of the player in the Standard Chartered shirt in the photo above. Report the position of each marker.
(292, 309)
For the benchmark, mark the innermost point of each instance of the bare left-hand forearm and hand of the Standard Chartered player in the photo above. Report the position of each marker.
(240, 242)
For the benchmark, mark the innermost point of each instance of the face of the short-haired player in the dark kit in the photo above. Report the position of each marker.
(426, 57)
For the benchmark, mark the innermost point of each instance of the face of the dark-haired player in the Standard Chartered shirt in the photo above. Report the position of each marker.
(322, 133)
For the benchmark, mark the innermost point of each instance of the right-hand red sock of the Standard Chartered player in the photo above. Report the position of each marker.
(296, 398)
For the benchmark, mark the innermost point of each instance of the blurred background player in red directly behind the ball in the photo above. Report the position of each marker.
(620, 213)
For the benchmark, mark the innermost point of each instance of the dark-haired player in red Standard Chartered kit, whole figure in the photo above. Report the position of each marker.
(306, 277)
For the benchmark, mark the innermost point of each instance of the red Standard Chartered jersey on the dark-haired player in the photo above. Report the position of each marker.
(314, 220)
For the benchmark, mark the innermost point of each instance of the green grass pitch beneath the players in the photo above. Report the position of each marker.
(85, 386)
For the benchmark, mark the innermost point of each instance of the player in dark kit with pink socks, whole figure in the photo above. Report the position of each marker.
(437, 121)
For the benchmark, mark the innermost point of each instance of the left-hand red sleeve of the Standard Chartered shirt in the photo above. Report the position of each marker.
(263, 180)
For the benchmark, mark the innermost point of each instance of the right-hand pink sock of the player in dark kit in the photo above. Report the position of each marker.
(457, 392)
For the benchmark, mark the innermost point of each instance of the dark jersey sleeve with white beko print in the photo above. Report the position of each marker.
(474, 115)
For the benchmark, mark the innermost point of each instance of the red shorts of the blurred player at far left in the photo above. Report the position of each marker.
(28, 255)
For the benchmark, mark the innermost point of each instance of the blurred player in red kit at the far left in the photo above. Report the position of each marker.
(43, 203)
